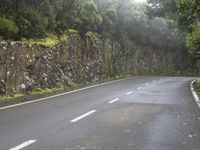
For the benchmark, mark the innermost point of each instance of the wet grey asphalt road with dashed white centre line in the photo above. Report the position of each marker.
(145, 113)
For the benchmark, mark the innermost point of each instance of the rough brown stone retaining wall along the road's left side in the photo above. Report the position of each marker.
(77, 60)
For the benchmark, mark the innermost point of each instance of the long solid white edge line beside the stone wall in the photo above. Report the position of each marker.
(57, 95)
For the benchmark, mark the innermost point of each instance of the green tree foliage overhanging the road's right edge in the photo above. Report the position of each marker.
(185, 15)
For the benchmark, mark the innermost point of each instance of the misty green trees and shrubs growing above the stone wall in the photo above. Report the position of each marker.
(45, 22)
